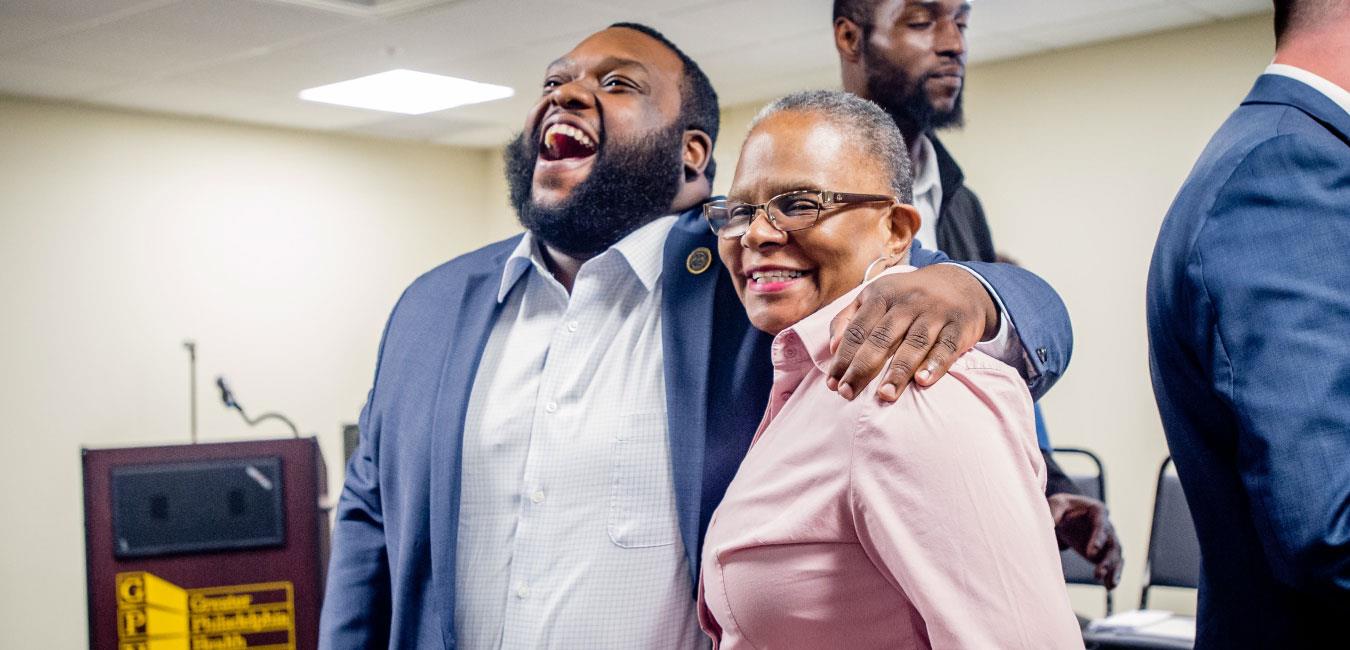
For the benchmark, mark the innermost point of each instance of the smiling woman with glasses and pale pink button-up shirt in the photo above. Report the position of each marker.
(863, 524)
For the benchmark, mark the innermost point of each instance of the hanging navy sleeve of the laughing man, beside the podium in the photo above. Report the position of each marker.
(357, 599)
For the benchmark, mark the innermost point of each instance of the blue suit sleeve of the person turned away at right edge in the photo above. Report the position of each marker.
(1274, 272)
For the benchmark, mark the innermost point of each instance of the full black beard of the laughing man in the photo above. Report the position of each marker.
(631, 183)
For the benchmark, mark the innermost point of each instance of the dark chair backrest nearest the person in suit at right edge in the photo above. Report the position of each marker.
(1174, 547)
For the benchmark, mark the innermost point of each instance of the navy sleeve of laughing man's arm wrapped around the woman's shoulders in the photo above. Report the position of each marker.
(1039, 316)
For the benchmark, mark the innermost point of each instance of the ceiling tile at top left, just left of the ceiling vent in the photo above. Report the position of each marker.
(183, 34)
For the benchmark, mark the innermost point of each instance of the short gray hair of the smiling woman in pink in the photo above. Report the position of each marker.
(862, 120)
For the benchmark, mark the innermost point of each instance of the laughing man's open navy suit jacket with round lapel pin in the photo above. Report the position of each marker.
(392, 575)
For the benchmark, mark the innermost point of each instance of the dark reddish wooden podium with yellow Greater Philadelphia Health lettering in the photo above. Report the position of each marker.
(206, 547)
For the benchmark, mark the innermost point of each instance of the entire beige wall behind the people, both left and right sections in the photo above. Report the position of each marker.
(283, 252)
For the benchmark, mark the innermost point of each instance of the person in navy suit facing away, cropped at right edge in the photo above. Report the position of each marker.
(1249, 347)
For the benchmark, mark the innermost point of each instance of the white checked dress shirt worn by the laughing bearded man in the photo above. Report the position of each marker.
(568, 526)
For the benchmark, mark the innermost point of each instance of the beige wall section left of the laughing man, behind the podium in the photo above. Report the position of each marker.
(281, 253)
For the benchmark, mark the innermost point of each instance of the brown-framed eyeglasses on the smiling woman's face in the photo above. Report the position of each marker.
(786, 213)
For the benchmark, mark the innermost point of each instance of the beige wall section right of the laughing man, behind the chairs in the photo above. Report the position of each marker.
(1077, 156)
